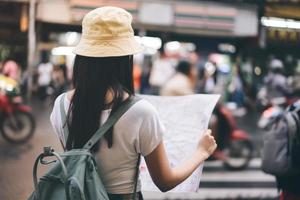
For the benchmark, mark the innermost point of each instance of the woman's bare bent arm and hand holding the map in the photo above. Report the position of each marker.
(165, 177)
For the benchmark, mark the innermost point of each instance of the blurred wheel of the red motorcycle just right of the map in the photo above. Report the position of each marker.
(238, 154)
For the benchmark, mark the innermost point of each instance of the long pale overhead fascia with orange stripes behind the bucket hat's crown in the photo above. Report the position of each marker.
(188, 17)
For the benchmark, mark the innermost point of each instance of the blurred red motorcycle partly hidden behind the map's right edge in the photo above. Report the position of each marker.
(234, 145)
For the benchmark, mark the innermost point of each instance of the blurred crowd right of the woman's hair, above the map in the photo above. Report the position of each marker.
(240, 83)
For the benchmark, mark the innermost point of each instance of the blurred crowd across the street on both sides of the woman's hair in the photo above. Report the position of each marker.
(174, 74)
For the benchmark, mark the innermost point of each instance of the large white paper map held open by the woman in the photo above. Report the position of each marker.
(185, 119)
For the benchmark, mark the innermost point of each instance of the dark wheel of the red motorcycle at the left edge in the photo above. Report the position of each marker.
(18, 127)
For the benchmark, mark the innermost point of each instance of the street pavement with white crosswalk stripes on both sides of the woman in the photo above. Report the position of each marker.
(216, 183)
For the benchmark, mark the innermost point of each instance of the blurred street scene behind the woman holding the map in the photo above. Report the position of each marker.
(245, 50)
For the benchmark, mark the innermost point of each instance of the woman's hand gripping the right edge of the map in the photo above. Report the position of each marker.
(207, 144)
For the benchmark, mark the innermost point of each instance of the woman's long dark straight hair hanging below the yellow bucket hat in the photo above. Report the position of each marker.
(92, 79)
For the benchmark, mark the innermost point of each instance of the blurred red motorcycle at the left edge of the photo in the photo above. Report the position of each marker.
(17, 124)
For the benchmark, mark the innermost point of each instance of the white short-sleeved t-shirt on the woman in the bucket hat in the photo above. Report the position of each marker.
(139, 130)
